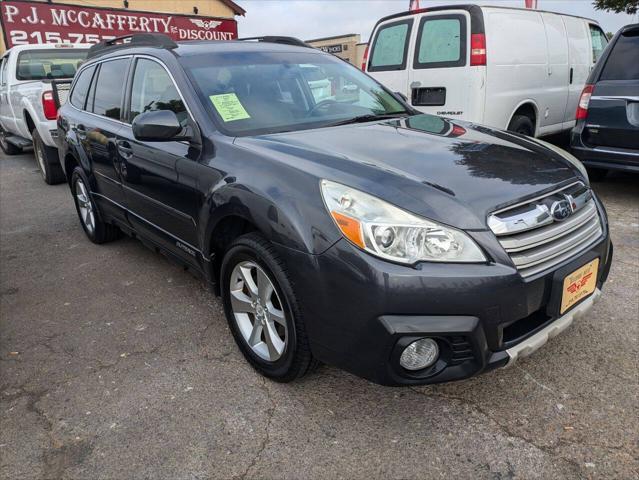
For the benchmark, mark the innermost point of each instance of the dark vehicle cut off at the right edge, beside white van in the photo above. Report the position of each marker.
(606, 136)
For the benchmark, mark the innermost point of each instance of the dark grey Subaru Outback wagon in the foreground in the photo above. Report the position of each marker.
(338, 224)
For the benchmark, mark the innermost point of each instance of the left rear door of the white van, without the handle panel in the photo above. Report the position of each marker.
(388, 59)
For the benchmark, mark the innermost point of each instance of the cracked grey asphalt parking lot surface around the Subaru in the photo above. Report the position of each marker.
(115, 363)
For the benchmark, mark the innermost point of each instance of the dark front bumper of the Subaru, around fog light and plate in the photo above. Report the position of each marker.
(360, 311)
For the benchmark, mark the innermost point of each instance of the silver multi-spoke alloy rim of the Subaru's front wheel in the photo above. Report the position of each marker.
(258, 311)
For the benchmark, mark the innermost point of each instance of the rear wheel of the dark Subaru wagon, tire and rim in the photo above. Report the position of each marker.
(92, 224)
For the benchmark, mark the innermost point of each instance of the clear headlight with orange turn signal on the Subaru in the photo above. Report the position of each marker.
(392, 233)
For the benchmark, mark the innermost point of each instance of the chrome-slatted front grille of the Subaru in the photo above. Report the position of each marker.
(536, 241)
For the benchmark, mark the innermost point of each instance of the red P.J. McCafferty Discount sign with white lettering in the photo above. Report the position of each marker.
(26, 22)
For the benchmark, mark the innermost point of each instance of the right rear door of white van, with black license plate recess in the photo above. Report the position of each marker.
(439, 74)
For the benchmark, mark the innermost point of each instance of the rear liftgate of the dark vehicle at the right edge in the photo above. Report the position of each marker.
(613, 112)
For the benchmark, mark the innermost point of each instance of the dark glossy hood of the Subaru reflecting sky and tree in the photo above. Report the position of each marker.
(453, 172)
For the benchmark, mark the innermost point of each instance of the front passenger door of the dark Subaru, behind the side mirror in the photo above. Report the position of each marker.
(161, 201)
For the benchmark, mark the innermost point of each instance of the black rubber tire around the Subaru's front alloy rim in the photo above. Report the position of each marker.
(296, 359)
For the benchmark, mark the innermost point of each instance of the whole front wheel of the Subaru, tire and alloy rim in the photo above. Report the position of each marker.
(262, 310)
